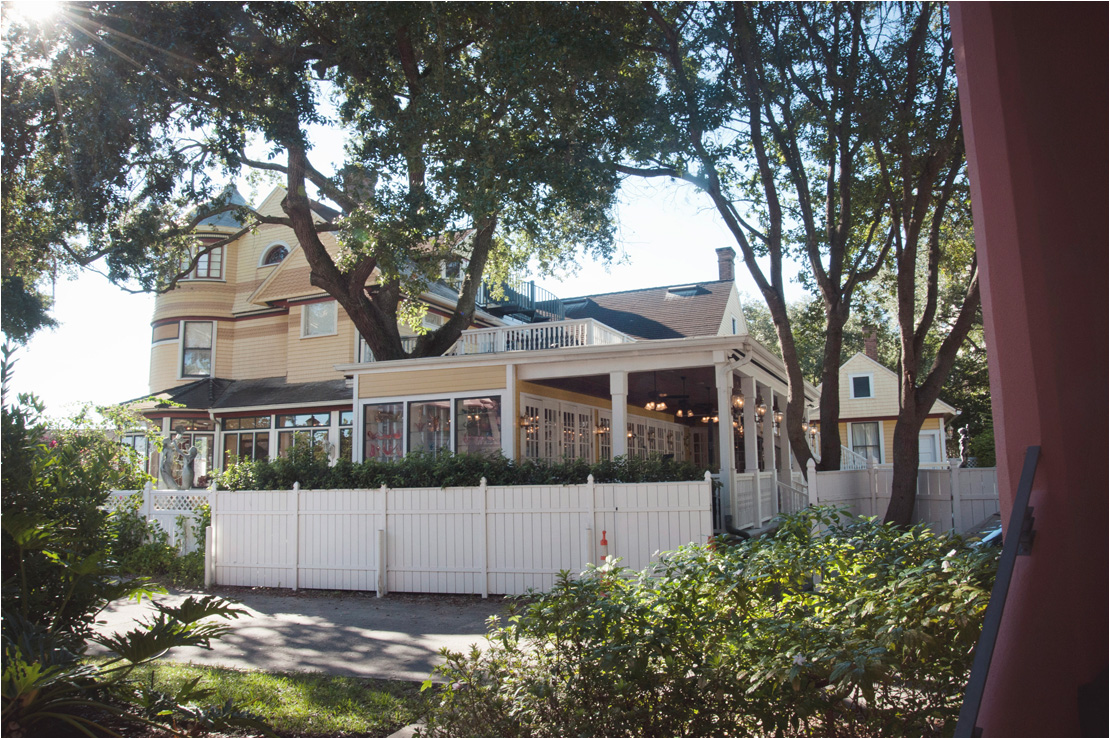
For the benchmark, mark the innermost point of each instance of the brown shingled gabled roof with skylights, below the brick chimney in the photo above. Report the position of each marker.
(671, 312)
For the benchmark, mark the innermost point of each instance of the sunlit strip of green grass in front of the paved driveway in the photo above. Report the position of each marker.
(302, 704)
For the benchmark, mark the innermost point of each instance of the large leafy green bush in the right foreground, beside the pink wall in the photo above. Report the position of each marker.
(862, 630)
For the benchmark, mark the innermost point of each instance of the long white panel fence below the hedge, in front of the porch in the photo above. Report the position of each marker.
(481, 540)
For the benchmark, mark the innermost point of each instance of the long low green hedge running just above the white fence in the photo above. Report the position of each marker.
(443, 470)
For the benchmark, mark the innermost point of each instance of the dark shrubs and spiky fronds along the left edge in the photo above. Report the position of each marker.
(59, 577)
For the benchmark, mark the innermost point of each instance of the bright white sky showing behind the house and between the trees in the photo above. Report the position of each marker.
(100, 353)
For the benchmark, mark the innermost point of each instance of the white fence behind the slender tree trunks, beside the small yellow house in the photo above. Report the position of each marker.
(947, 499)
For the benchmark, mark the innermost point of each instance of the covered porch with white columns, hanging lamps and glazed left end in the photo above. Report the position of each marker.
(719, 402)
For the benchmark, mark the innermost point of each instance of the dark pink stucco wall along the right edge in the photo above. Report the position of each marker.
(1034, 97)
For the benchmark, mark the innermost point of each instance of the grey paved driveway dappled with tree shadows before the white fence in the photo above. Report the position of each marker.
(352, 634)
